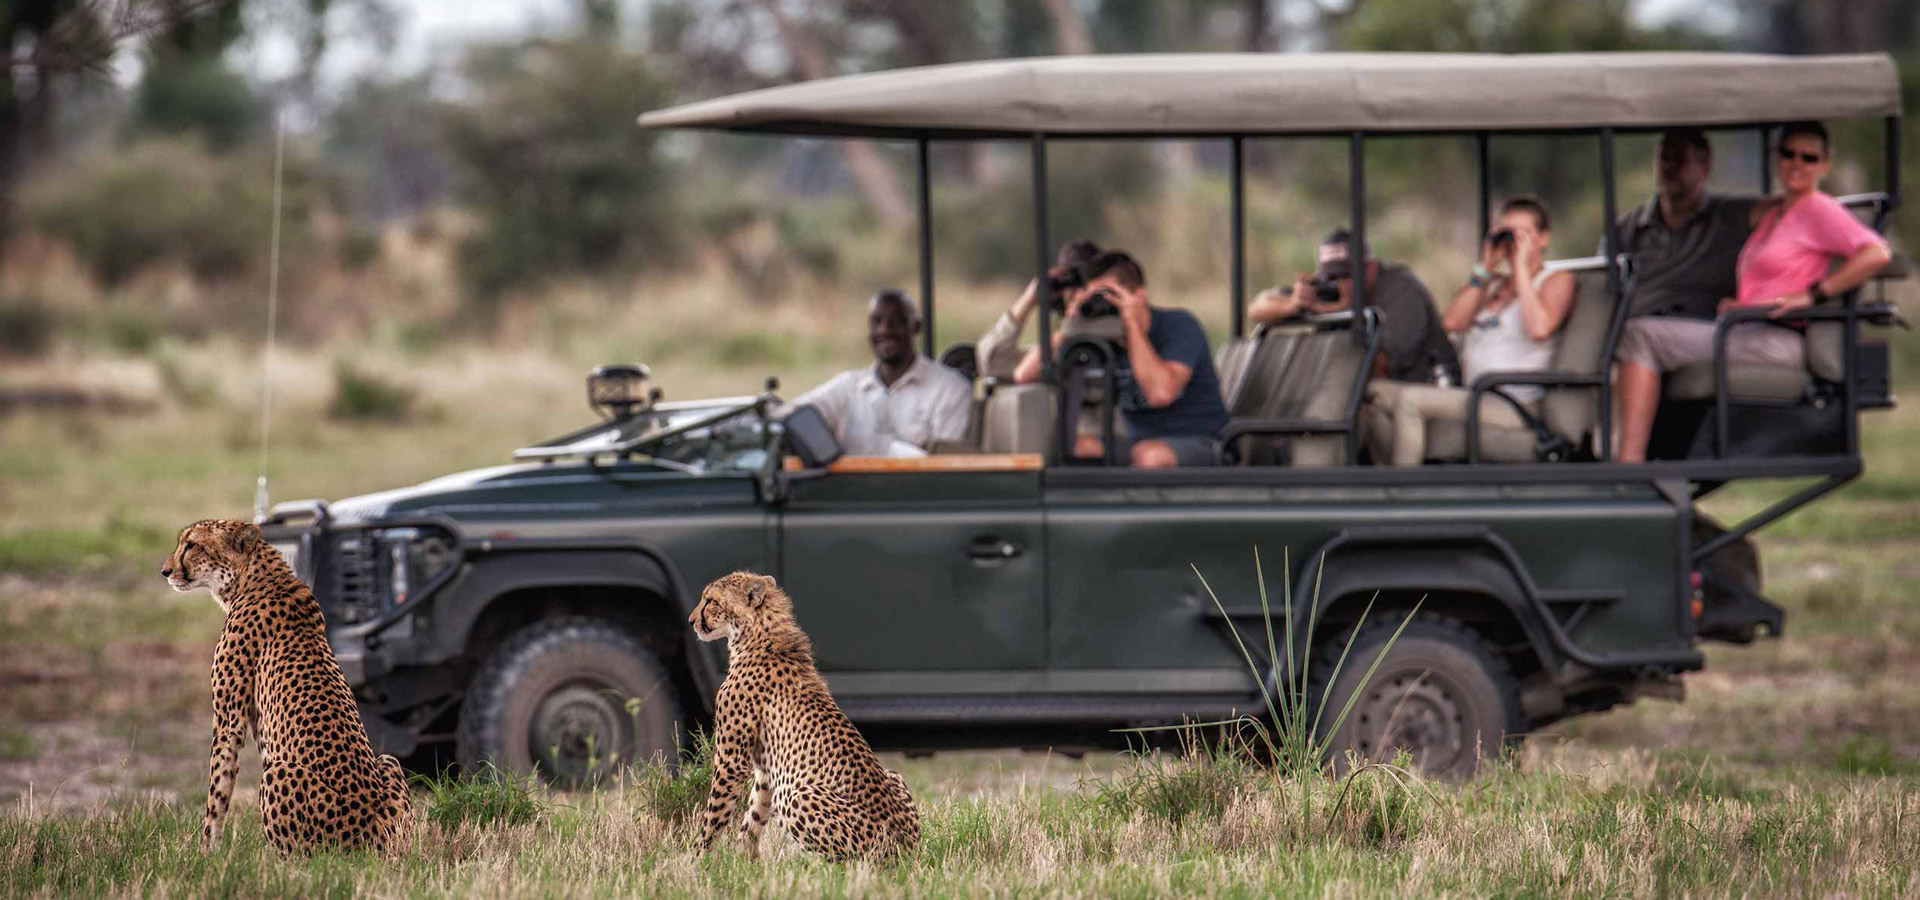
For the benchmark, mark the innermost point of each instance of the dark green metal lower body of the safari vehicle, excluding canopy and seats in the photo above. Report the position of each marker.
(984, 607)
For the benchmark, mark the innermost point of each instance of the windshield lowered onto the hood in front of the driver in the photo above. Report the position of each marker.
(698, 438)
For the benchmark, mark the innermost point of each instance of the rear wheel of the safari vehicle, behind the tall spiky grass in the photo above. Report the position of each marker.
(1441, 694)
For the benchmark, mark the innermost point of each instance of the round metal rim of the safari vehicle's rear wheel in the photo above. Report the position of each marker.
(1414, 711)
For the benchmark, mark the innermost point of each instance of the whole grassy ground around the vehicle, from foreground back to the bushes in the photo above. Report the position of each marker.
(1792, 769)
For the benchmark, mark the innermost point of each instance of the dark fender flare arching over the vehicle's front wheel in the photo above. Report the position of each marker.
(500, 575)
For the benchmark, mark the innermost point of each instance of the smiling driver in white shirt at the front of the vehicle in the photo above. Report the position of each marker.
(905, 402)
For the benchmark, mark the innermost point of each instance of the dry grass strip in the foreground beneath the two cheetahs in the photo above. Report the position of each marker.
(1562, 824)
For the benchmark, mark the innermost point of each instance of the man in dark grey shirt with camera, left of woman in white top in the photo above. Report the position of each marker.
(1414, 348)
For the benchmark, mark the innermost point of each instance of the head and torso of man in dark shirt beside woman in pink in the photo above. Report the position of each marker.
(1685, 243)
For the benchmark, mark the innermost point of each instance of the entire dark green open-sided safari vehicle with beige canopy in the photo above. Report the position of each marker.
(535, 613)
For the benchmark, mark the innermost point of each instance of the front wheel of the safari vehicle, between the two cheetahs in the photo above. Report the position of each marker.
(573, 699)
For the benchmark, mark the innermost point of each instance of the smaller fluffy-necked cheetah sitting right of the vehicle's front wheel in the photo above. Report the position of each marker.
(777, 721)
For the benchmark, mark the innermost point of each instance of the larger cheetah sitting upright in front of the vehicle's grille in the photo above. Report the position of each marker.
(322, 786)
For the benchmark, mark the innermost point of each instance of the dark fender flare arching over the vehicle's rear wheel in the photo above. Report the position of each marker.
(1358, 563)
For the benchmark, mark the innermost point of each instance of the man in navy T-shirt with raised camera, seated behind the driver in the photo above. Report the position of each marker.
(1168, 391)
